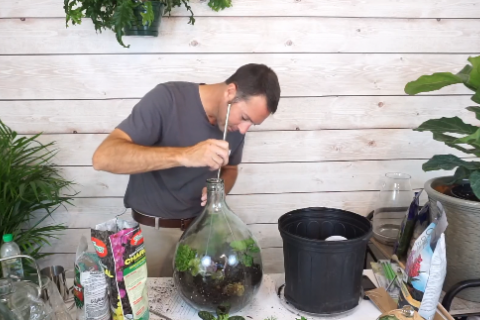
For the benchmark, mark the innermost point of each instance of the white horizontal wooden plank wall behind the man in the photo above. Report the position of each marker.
(343, 120)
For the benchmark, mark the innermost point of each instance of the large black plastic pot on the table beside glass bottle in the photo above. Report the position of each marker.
(323, 277)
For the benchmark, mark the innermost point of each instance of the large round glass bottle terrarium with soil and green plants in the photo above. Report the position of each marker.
(217, 262)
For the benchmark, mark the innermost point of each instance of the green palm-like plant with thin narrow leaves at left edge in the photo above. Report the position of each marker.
(31, 189)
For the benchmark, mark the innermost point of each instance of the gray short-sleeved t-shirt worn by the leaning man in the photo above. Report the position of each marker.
(172, 115)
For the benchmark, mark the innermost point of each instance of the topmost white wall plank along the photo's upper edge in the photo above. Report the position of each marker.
(353, 8)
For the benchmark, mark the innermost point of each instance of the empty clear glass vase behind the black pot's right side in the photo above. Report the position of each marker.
(393, 202)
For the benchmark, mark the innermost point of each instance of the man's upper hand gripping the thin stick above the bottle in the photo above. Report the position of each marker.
(209, 153)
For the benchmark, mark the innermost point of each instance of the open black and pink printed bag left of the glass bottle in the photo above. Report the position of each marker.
(119, 245)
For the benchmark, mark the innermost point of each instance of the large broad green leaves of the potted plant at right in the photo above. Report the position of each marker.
(454, 132)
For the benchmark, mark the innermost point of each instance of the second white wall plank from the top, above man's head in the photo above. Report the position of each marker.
(249, 35)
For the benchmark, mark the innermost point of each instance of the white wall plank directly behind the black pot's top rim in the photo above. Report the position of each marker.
(252, 208)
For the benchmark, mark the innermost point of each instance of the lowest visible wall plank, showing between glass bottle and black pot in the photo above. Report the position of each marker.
(272, 259)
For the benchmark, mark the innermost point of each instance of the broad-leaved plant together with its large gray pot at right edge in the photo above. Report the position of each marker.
(459, 194)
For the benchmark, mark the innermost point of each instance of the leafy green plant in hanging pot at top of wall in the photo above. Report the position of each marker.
(129, 17)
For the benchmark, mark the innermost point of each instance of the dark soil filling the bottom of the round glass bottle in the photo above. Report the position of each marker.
(232, 292)
